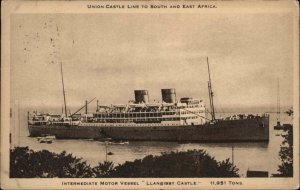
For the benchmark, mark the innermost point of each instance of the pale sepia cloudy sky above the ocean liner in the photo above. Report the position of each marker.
(108, 56)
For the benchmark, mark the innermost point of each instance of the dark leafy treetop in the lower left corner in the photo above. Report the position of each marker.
(25, 163)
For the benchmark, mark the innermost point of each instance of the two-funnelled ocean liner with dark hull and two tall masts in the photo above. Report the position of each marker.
(170, 120)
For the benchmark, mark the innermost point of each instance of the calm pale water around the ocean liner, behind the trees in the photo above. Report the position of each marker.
(246, 156)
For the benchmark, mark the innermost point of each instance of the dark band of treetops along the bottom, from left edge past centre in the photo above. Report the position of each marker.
(26, 163)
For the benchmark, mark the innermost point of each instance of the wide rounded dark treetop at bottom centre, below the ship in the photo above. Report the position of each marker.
(192, 163)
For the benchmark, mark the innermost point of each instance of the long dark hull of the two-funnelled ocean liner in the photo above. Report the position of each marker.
(256, 129)
